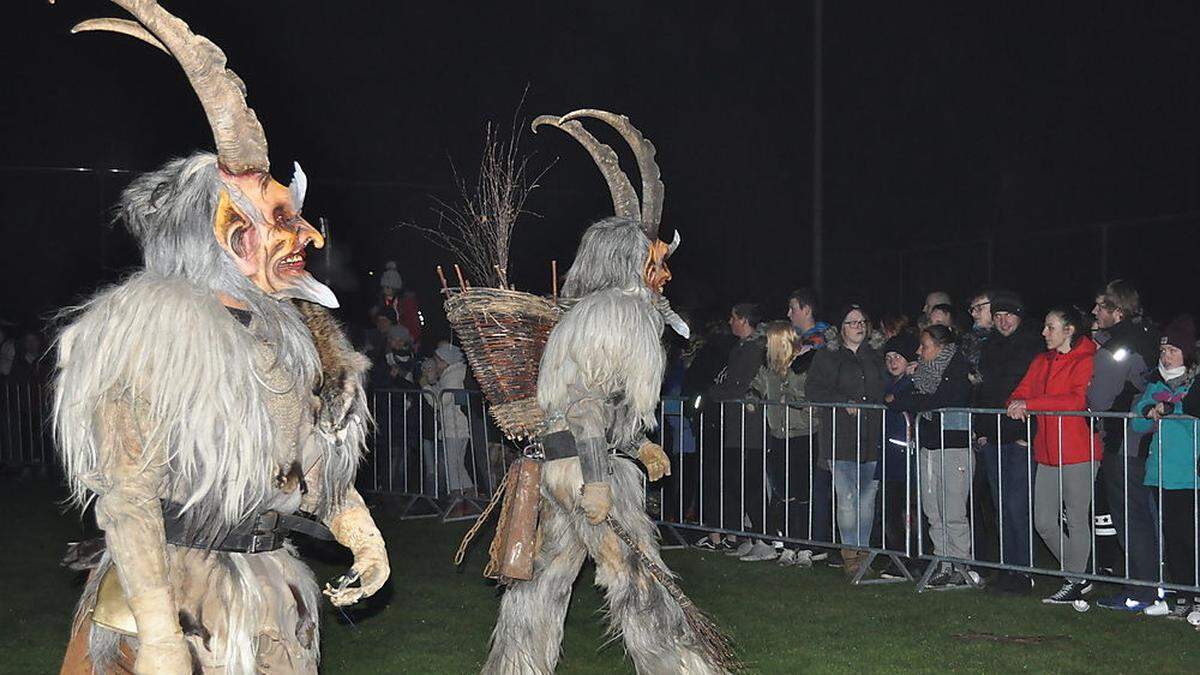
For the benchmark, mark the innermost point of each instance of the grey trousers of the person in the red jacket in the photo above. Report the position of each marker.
(1070, 540)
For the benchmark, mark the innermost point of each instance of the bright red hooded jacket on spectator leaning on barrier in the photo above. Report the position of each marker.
(1059, 383)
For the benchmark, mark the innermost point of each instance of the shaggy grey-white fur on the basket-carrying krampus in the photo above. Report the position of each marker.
(599, 378)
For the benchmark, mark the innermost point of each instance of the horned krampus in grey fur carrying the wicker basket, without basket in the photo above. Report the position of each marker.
(599, 389)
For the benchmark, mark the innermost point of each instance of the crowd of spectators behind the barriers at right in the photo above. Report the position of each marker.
(833, 434)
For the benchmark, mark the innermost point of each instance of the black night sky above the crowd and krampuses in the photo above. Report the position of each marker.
(965, 144)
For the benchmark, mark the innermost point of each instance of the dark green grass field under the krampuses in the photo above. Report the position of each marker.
(435, 619)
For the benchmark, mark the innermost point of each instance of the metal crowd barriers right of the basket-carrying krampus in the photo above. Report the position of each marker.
(691, 428)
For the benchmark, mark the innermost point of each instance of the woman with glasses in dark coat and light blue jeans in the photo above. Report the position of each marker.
(850, 372)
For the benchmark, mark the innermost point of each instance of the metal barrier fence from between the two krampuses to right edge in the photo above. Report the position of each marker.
(860, 479)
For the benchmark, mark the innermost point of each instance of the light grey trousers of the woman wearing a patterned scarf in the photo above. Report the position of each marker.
(945, 489)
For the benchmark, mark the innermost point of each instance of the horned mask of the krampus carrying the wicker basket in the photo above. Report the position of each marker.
(649, 212)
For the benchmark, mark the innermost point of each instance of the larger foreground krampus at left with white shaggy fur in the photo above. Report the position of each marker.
(205, 404)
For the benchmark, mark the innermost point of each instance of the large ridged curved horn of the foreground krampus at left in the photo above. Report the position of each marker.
(242, 145)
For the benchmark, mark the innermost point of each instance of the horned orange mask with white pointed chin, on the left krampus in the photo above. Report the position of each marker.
(257, 222)
